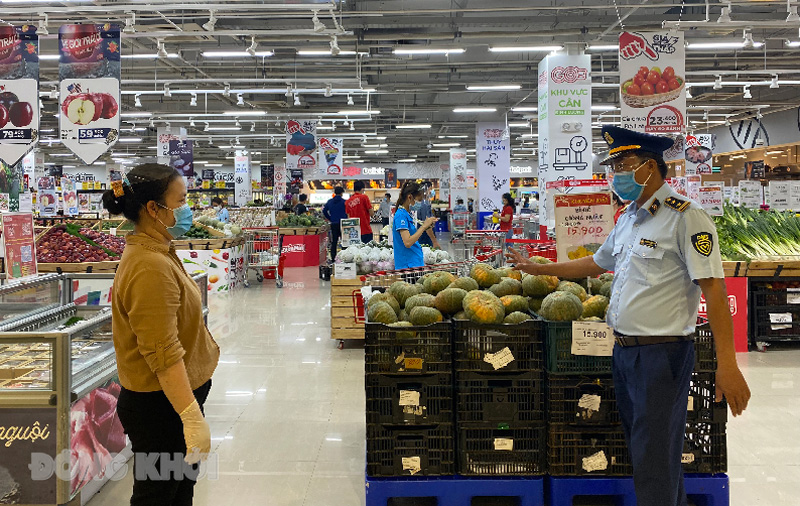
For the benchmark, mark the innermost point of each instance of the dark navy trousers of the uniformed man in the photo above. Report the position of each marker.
(652, 389)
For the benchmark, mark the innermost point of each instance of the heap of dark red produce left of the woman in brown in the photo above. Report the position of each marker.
(66, 244)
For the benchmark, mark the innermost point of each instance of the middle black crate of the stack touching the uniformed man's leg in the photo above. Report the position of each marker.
(582, 401)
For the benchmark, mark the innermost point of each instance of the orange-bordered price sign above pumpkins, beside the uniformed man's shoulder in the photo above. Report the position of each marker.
(583, 222)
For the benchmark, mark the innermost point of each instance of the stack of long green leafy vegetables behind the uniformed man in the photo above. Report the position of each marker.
(748, 233)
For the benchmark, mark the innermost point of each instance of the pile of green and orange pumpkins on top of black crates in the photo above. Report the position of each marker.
(490, 296)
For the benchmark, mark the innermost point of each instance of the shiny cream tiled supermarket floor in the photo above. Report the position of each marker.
(287, 409)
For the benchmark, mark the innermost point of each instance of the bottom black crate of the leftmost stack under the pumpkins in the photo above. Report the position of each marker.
(404, 451)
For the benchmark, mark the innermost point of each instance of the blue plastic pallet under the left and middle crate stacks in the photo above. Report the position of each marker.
(455, 490)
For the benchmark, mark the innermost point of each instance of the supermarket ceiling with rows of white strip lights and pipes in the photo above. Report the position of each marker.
(233, 70)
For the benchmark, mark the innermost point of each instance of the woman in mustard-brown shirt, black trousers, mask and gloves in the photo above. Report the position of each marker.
(165, 354)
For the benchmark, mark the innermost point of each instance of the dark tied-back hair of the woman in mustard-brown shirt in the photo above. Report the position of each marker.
(144, 183)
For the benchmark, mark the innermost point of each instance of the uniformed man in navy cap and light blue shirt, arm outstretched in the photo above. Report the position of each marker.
(664, 252)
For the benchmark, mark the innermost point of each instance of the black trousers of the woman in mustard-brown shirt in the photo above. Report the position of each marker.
(154, 427)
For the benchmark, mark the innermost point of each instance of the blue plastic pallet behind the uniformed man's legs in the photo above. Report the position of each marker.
(703, 490)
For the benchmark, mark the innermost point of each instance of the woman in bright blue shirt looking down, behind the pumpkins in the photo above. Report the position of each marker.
(405, 235)
